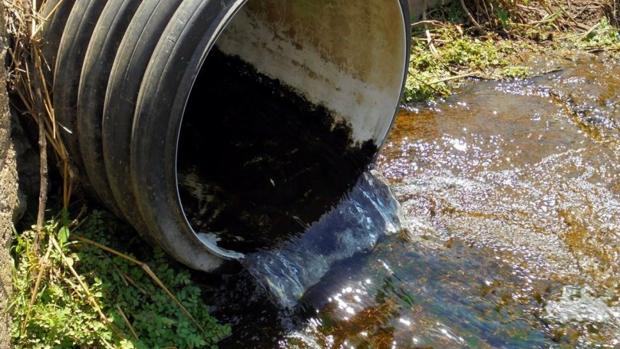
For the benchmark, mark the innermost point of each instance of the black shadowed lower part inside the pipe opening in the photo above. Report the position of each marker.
(275, 163)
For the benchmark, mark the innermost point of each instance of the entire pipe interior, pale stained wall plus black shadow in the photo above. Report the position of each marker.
(287, 111)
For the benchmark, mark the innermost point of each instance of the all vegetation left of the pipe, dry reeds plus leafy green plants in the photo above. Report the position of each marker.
(75, 283)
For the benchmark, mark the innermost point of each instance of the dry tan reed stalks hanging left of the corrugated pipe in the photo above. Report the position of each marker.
(26, 82)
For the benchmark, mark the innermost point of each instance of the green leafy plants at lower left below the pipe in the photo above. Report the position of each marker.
(80, 294)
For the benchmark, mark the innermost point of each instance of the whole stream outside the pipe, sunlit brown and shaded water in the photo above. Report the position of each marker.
(509, 236)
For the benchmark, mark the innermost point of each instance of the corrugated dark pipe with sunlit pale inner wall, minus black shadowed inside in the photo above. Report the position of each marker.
(125, 70)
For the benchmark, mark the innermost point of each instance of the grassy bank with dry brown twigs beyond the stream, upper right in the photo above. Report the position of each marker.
(454, 43)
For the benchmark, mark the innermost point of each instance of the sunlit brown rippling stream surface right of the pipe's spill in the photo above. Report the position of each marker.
(528, 171)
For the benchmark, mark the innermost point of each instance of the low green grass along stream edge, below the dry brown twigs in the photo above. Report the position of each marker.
(498, 50)
